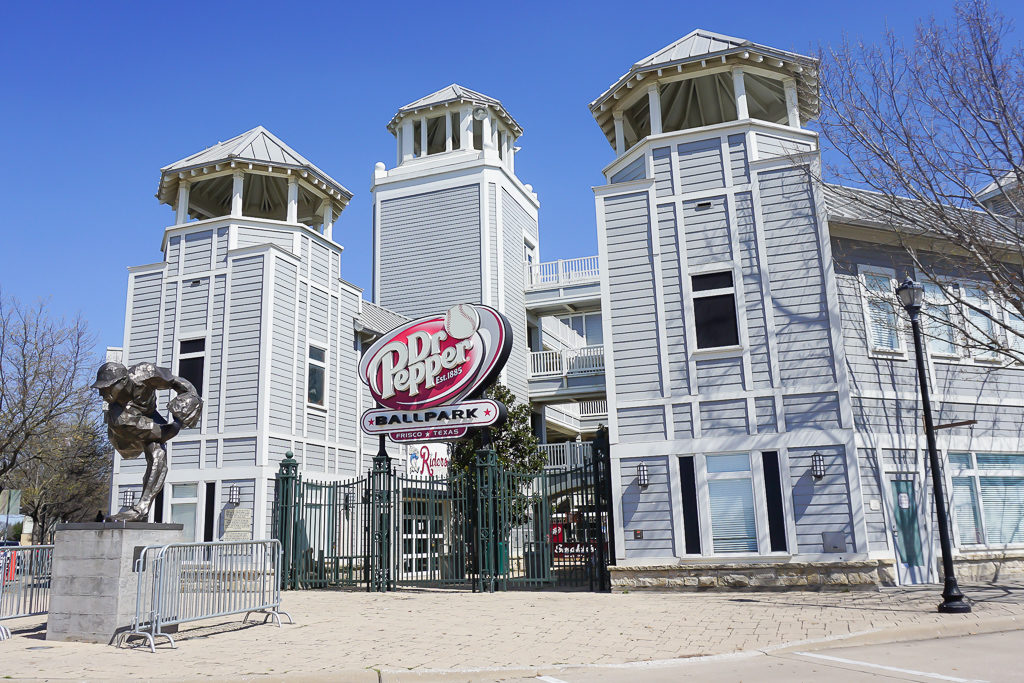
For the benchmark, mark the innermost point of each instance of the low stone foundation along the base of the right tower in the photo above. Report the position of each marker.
(755, 576)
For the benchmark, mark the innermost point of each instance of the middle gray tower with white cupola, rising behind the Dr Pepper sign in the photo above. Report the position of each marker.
(452, 222)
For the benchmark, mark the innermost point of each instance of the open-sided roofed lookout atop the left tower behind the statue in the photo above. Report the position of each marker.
(253, 176)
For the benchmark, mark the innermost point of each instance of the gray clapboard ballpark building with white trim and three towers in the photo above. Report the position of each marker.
(738, 331)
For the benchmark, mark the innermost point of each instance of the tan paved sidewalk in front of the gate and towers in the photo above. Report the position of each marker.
(438, 634)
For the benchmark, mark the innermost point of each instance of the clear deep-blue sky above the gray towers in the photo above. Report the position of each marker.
(96, 98)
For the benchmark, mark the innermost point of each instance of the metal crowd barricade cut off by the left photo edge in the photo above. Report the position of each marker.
(25, 583)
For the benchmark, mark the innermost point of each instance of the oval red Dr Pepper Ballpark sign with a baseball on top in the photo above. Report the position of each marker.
(426, 376)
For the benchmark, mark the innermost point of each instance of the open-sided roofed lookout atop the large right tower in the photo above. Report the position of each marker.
(705, 79)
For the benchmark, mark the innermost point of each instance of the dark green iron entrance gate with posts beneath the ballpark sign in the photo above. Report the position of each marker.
(488, 529)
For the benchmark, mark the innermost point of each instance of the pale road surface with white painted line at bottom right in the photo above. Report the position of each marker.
(997, 657)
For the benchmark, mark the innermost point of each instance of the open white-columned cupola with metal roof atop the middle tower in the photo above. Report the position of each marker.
(455, 121)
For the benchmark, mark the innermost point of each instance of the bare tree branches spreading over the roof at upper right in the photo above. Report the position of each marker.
(934, 129)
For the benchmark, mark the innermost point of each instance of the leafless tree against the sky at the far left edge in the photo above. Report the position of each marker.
(46, 368)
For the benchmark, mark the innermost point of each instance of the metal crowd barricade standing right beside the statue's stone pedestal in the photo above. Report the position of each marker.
(190, 582)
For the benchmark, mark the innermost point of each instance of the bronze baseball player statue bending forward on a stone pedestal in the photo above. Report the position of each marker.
(136, 428)
